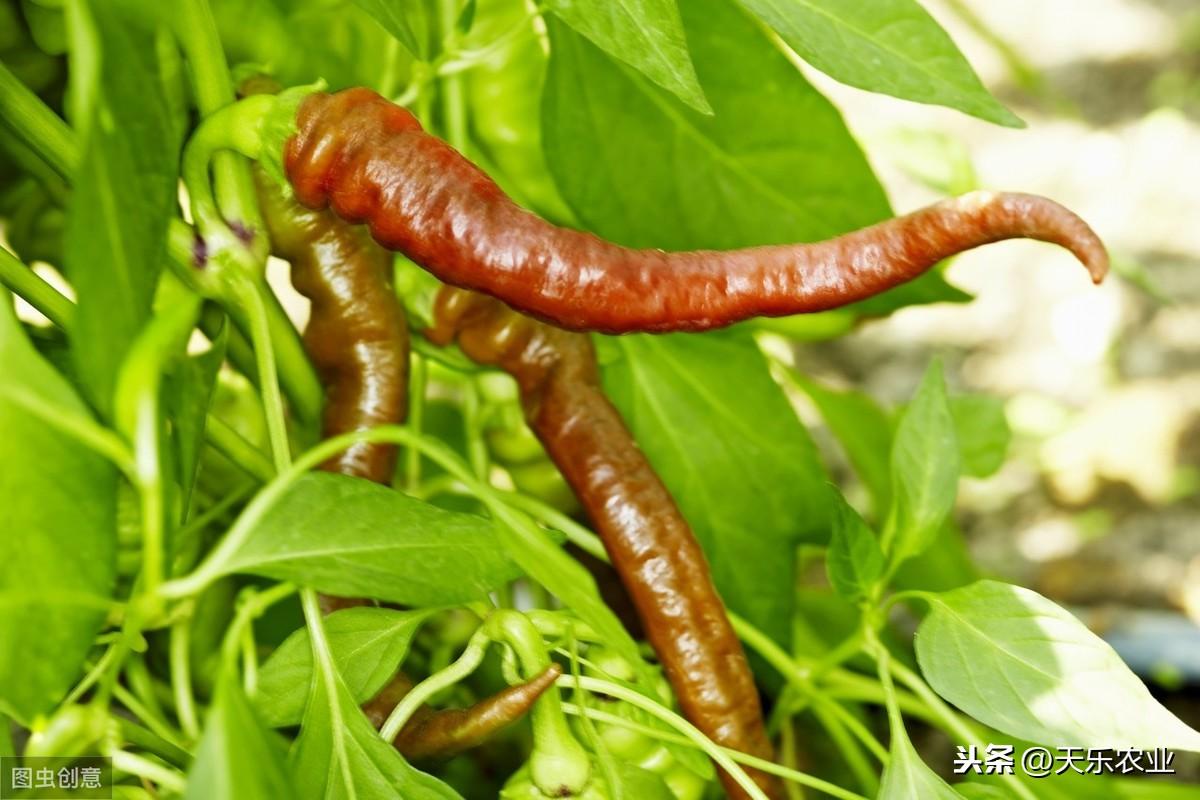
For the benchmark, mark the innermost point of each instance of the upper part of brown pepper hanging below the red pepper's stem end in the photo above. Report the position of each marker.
(357, 335)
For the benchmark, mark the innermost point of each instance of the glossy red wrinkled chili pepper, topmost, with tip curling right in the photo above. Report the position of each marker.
(370, 161)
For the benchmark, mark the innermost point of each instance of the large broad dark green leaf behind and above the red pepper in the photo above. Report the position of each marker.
(773, 165)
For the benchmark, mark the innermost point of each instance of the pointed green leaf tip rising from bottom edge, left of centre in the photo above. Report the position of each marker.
(238, 759)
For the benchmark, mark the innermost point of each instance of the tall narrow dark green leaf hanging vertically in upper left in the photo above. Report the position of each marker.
(124, 194)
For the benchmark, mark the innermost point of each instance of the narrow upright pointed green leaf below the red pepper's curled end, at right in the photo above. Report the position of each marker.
(925, 468)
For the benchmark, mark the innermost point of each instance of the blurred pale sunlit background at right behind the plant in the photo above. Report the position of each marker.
(1099, 504)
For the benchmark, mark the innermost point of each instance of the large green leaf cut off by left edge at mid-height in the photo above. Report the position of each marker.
(59, 521)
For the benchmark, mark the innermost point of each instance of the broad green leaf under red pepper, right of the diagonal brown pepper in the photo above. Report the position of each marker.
(739, 462)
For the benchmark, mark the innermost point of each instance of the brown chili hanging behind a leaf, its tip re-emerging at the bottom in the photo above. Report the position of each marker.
(358, 341)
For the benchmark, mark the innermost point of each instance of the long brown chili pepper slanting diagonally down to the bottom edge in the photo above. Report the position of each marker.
(650, 543)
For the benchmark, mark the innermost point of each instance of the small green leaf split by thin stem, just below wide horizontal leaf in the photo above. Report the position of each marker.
(368, 645)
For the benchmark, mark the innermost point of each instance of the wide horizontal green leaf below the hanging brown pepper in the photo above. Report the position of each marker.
(352, 538)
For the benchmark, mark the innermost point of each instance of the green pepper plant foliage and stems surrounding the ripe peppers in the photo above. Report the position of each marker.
(167, 540)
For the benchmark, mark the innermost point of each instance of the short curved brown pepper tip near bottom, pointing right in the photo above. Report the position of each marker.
(449, 732)
